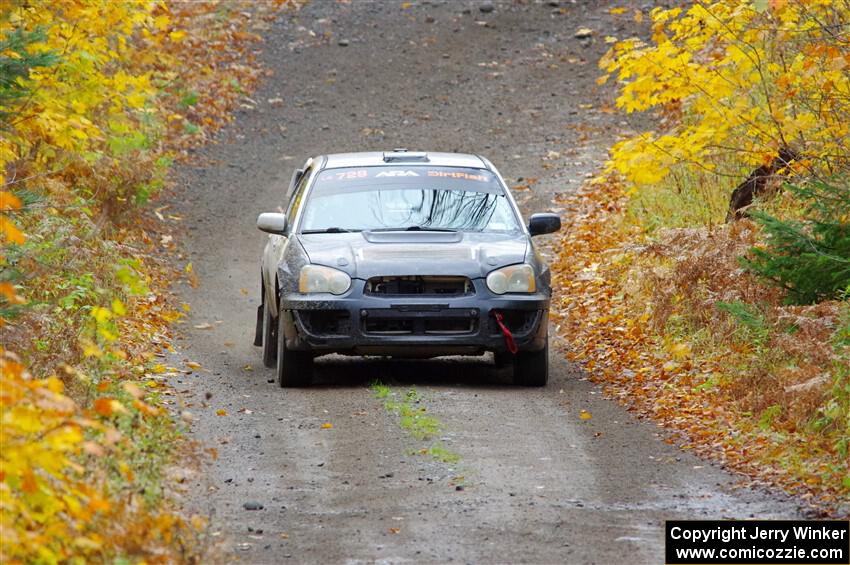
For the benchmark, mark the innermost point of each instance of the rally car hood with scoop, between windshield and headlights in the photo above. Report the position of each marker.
(368, 254)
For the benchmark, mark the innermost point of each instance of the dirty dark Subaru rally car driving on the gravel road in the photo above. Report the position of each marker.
(402, 254)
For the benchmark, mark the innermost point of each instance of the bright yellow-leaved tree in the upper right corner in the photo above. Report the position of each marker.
(738, 83)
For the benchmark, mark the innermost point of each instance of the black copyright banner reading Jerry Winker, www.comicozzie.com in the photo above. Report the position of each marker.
(757, 542)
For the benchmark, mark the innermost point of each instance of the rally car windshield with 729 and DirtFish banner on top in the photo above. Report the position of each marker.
(407, 198)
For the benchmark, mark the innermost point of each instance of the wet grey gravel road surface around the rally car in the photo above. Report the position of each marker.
(534, 482)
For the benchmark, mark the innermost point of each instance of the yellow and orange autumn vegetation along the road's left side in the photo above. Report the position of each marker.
(97, 100)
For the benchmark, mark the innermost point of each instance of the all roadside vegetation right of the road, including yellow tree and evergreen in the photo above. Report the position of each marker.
(705, 275)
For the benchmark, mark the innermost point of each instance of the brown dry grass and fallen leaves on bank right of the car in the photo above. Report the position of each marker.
(678, 331)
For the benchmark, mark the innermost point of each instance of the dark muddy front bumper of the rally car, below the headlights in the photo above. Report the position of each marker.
(416, 325)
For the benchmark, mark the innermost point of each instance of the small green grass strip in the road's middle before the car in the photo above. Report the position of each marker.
(412, 417)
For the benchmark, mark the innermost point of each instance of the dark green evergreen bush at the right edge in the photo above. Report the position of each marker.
(808, 258)
